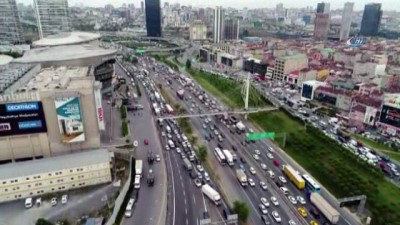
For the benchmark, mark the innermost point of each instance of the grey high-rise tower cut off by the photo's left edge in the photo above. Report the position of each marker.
(10, 26)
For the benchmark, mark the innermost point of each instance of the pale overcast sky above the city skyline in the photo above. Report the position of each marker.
(335, 4)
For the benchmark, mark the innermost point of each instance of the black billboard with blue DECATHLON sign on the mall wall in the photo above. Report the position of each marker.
(22, 118)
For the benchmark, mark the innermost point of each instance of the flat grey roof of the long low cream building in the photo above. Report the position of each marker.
(19, 169)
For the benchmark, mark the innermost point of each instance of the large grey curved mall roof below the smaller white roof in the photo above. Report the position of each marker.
(63, 53)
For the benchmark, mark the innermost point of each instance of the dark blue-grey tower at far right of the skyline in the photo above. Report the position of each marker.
(371, 19)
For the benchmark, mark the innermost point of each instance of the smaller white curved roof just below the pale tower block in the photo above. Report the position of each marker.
(66, 39)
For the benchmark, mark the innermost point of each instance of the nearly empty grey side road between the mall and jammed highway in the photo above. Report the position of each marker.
(151, 204)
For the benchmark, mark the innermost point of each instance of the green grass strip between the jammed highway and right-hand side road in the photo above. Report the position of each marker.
(340, 171)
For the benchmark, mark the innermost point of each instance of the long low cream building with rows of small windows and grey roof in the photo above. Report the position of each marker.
(49, 175)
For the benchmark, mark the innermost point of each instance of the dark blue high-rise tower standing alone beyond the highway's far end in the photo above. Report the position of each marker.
(153, 18)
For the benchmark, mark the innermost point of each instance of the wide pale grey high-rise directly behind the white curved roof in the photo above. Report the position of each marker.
(52, 17)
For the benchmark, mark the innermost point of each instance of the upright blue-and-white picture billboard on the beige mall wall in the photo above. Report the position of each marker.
(70, 119)
